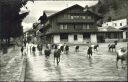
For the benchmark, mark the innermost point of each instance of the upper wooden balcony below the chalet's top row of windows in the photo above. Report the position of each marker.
(75, 21)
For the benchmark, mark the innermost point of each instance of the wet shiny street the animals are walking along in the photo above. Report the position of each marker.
(76, 66)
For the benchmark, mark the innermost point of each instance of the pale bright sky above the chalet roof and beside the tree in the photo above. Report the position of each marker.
(36, 9)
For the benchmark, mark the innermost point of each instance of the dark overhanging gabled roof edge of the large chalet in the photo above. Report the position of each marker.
(76, 5)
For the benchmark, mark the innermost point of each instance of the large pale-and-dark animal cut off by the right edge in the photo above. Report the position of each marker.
(122, 55)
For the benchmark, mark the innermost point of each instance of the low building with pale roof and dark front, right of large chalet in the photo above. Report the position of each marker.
(109, 34)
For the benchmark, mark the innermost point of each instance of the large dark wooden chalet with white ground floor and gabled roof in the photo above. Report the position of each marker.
(74, 24)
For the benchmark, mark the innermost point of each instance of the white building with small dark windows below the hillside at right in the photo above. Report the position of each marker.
(116, 23)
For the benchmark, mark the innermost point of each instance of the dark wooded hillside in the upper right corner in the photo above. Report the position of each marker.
(112, 9)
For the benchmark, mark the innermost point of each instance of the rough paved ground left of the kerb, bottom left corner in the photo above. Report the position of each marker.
(11, 65)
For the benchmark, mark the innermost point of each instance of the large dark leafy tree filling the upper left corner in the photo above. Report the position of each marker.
(10, 18)
